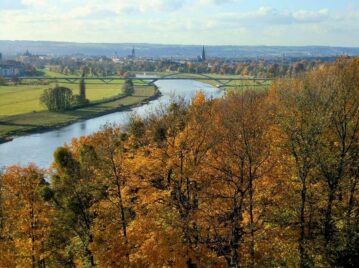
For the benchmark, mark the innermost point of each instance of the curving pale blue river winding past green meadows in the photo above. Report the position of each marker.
(38, 148)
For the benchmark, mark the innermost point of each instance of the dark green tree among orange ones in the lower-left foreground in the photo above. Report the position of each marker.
(73, 194)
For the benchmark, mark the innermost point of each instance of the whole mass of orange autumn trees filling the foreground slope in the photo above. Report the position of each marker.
(258, 179)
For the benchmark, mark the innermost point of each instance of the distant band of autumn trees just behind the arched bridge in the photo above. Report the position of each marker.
(258, 68)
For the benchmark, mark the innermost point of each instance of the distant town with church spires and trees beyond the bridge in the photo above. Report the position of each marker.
(28, 63)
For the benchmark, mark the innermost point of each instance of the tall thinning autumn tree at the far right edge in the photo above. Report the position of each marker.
(339, 141)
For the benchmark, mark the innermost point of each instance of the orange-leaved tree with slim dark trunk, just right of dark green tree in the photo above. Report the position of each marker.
(113, 211)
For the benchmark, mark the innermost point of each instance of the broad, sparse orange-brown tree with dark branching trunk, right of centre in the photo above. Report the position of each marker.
(239, 157)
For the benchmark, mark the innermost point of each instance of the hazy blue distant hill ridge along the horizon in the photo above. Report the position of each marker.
(12, 48)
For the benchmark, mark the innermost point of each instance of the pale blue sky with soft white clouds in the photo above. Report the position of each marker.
(209, 22)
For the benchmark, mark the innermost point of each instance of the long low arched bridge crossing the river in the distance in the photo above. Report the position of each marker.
(151, 80)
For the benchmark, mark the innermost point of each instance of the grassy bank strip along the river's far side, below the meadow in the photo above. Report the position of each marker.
(36, 122)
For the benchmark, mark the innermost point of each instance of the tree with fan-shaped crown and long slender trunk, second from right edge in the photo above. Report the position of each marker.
(301, 112)
